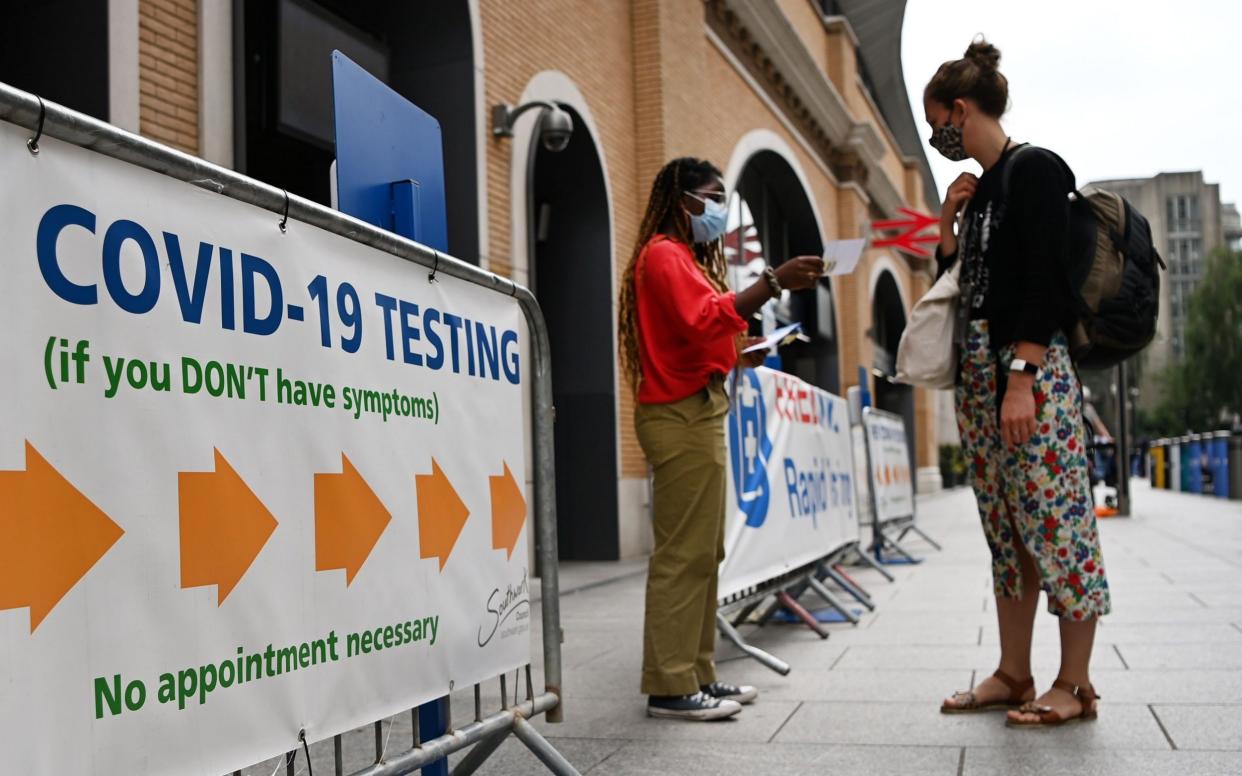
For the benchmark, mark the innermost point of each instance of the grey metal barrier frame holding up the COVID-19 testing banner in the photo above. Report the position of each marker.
(486, 733)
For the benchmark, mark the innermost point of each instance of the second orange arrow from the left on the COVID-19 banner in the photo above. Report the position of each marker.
(224, 527)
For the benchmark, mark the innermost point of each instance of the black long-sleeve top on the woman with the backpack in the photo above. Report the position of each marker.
(1022, 287)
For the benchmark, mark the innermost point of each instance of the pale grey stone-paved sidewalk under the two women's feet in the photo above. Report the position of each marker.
(1168, 664)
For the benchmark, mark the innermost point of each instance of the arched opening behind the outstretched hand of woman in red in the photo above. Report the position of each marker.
(771, 220)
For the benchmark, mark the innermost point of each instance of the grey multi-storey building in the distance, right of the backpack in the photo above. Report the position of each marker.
(1187, 227)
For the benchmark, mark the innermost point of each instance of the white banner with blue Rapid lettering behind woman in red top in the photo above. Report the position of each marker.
(792, 496)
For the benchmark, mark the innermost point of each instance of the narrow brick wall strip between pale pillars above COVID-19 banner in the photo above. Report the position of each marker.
(168, 73)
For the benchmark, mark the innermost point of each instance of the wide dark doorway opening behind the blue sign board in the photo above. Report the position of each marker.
(284, 112)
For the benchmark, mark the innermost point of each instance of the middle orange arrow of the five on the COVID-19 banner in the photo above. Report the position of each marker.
(348, 521)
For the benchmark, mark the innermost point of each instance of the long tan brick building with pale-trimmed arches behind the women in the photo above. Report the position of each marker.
(803, 104)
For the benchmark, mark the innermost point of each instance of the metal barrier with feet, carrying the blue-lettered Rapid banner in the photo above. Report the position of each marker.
(786, 541)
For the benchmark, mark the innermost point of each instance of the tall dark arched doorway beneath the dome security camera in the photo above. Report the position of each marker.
(571, 254)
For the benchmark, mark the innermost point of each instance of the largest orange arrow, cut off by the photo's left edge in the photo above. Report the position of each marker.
(50, 537)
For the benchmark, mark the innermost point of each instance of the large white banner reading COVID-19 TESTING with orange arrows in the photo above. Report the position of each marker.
(252, 482)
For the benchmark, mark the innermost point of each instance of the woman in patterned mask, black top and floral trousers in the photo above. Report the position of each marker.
(1019, 399)
